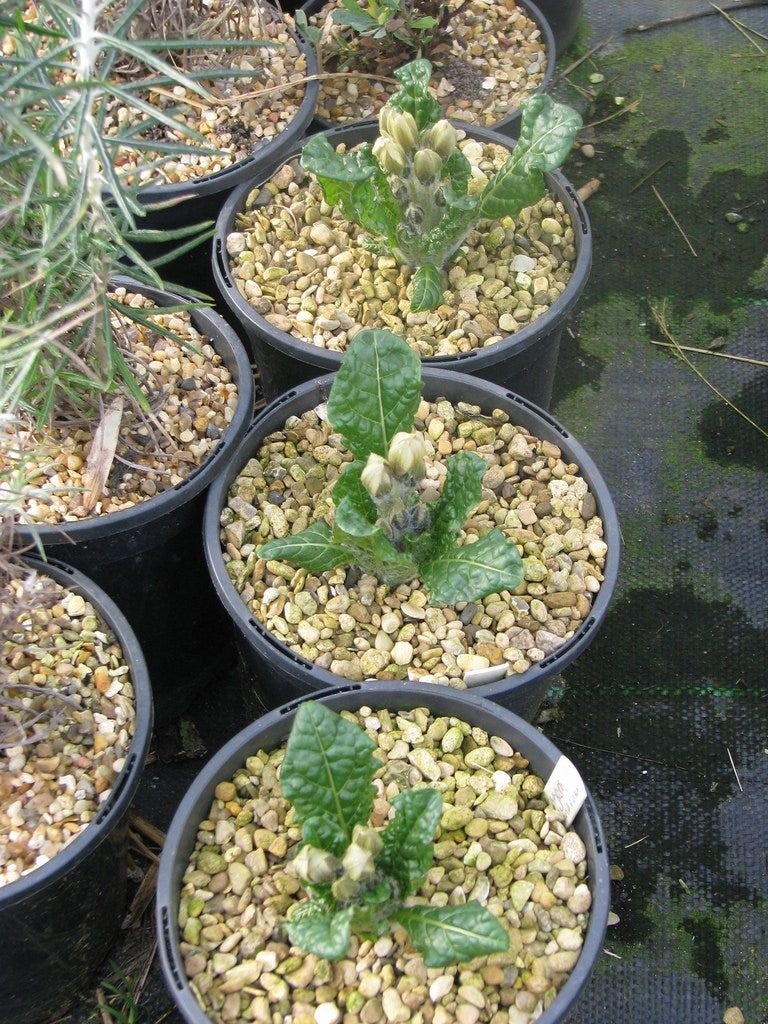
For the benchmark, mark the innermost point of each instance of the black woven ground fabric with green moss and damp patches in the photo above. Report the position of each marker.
(673, 690)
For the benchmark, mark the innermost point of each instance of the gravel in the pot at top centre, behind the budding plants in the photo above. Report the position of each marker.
(494, 58)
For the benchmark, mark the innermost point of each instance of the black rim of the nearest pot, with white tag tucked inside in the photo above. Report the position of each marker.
(374, 695)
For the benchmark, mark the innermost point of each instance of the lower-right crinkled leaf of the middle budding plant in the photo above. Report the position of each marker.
(475, 571)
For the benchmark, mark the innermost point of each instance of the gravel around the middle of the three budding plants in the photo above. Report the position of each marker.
(350, 623)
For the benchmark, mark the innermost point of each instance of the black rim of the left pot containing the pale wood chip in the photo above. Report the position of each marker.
(205, 321)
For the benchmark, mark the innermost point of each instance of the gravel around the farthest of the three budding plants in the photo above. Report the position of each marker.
(304, 267)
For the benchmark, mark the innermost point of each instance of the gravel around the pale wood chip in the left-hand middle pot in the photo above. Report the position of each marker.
(193, 399)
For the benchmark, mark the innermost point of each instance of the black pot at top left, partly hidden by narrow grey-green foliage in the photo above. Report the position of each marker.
(201, 199)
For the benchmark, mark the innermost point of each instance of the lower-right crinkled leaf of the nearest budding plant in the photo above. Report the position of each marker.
(446, 935)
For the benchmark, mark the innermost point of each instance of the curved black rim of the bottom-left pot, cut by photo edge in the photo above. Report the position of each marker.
(127, 782)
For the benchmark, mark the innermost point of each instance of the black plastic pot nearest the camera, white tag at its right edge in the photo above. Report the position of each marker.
(272, 731)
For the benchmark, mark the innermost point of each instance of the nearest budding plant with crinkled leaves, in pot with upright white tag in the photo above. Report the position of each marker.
(361, 879)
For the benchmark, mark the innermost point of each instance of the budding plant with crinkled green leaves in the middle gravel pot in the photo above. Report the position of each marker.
(381, 524)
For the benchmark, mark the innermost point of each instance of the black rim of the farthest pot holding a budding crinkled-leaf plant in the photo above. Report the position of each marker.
(513, 345)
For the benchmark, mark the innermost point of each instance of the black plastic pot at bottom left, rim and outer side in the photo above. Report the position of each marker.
(59, 923)
